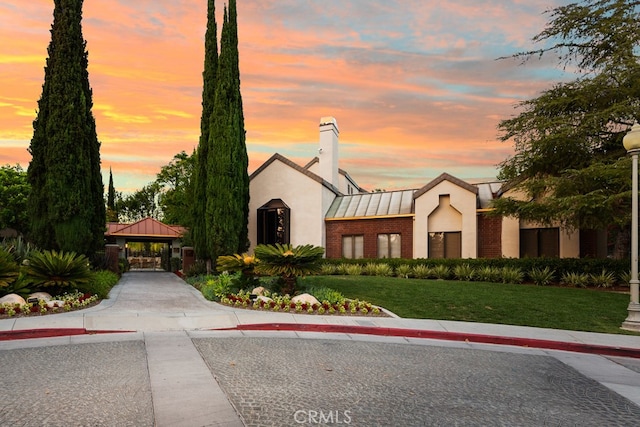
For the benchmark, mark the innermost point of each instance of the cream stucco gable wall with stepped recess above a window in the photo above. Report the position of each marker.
(462, 201)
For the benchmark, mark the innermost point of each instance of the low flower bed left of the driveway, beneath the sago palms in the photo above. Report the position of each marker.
(62, 303)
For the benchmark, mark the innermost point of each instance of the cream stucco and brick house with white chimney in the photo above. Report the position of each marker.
(322, 205)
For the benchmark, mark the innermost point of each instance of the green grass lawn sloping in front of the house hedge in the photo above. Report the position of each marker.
(526, 305)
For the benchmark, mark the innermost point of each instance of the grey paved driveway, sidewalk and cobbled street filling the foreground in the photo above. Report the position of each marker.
(191, 362)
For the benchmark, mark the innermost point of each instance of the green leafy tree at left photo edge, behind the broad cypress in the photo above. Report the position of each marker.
(14, 191)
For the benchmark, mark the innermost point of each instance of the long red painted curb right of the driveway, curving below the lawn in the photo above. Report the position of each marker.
(450, 336)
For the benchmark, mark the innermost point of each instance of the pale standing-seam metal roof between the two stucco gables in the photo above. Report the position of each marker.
(362, 205)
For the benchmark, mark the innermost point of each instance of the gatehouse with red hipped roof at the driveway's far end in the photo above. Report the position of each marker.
(147, 231)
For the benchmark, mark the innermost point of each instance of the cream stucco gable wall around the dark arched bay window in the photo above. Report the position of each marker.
(305, 197)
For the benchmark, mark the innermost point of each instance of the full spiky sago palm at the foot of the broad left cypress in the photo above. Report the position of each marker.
(57, 270)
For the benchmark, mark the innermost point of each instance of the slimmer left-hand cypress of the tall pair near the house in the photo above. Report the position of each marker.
(199, 229)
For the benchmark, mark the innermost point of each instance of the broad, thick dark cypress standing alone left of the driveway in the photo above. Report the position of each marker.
(66, 206)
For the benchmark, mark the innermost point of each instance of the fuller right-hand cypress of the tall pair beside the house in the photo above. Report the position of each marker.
(228, 187)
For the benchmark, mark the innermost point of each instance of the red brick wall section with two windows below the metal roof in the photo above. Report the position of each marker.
(369, 228)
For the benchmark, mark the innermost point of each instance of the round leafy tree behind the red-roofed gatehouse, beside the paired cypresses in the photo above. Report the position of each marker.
(175, 197)
